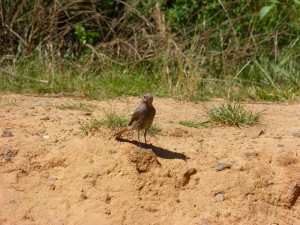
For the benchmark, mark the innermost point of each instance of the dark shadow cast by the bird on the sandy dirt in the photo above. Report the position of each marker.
(158, 151)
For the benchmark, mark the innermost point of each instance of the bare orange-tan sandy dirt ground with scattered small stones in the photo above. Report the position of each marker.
(51, 173)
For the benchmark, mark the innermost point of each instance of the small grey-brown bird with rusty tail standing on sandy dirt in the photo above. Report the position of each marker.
(142, 118)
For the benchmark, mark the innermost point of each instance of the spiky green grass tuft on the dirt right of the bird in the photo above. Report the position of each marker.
(232, 114)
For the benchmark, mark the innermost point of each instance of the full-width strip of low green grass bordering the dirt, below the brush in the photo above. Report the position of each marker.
(197, 77)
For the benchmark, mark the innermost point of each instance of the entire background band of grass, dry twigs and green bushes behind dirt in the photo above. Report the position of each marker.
(184, 49)
